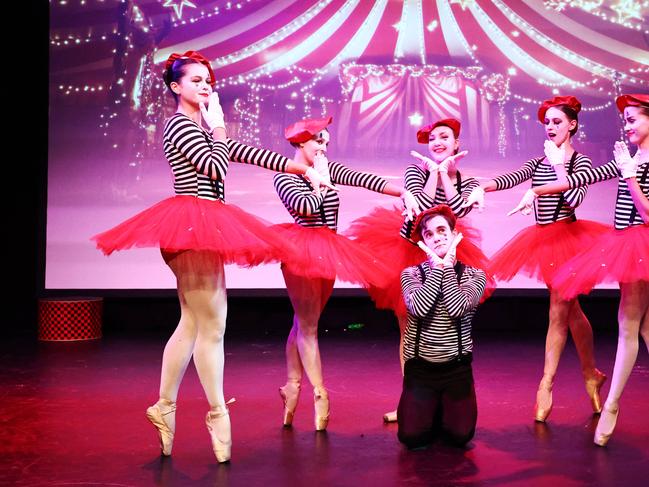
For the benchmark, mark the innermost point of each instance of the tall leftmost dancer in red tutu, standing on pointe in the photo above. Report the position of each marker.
(197, 234)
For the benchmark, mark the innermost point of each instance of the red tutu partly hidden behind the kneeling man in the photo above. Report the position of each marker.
(379, 232)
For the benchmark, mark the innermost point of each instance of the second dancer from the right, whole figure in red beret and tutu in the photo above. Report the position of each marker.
(541, 249)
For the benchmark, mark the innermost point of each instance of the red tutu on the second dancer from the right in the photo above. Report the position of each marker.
(539, 250)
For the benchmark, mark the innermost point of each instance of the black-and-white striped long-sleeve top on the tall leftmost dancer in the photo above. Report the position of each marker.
(200, 164)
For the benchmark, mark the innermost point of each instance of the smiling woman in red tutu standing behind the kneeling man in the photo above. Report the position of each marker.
(390, 237)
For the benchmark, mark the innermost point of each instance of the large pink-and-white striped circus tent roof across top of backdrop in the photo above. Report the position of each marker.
(539, 45)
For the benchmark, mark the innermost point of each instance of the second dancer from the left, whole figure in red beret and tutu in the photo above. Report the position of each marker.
(322, 256)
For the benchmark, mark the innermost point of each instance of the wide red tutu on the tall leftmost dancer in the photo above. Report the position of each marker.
(186, 222)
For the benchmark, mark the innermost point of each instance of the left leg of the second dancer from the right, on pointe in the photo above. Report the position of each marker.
(555, 342)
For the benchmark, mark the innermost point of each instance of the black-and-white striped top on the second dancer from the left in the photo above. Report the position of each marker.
(311, 210)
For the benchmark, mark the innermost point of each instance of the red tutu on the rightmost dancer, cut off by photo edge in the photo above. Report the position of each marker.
(615, 256)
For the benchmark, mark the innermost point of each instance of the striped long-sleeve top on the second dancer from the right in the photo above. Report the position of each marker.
(541, 172)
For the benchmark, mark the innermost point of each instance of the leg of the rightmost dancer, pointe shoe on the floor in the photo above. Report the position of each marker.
(633, 312)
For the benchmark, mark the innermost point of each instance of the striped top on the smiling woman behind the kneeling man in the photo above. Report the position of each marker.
(415, 179)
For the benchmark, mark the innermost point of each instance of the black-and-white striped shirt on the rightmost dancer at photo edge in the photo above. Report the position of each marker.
(625, 216)
